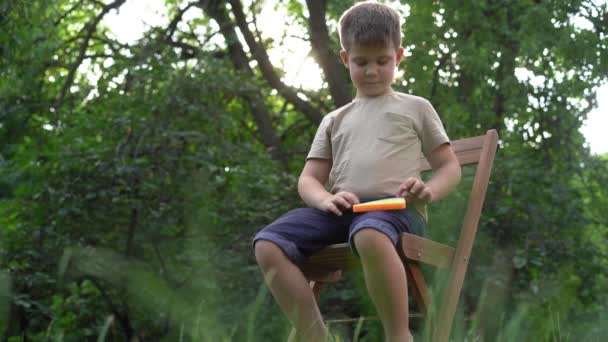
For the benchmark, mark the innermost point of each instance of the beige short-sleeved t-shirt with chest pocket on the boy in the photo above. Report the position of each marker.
(375, 143)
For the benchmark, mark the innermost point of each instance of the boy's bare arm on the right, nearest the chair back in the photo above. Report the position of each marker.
(446, 175)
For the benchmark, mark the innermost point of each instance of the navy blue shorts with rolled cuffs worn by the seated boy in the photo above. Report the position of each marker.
(304, 231)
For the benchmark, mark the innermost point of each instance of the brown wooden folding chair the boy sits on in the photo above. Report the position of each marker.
(326, 266)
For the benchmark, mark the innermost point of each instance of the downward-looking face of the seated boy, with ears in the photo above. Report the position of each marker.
(372, 69)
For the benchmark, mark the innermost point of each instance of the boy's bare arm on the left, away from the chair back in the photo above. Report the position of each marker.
(311, 187)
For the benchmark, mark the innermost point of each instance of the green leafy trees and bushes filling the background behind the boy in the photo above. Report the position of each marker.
(128, 200)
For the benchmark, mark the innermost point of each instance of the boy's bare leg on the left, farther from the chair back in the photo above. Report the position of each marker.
(291, 291)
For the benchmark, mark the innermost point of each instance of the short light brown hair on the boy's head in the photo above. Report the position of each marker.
(370, 23)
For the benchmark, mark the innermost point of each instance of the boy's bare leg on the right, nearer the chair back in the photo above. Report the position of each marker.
(386, 282)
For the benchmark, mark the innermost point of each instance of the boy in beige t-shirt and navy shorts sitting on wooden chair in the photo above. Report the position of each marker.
(365, 150)
